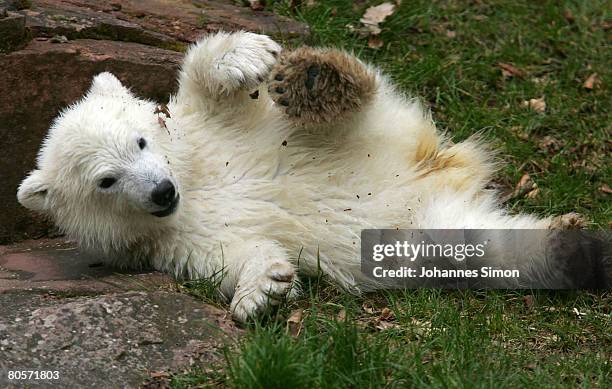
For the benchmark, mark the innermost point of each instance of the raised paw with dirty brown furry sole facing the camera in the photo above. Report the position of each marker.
(320, 85)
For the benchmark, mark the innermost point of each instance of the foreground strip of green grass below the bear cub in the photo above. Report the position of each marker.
(432, 338)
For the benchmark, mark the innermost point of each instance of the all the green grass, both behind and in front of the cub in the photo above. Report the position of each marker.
(463, 338)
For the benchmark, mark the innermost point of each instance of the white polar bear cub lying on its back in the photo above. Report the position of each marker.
(262, 161)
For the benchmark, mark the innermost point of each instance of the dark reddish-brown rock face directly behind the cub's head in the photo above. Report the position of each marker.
(43, 78)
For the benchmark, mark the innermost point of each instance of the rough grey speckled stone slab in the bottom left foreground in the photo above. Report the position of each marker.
(107, 341)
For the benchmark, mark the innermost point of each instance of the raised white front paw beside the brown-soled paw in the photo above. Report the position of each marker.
(224, 62)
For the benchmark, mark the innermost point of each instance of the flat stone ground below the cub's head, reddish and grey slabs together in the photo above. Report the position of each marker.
(62, 310)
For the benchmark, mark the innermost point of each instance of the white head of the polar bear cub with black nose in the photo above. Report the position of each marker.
(102, 176)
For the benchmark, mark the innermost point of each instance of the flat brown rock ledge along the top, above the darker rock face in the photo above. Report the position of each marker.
(161, 23)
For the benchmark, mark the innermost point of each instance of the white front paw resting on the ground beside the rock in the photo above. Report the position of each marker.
(254, 296)
